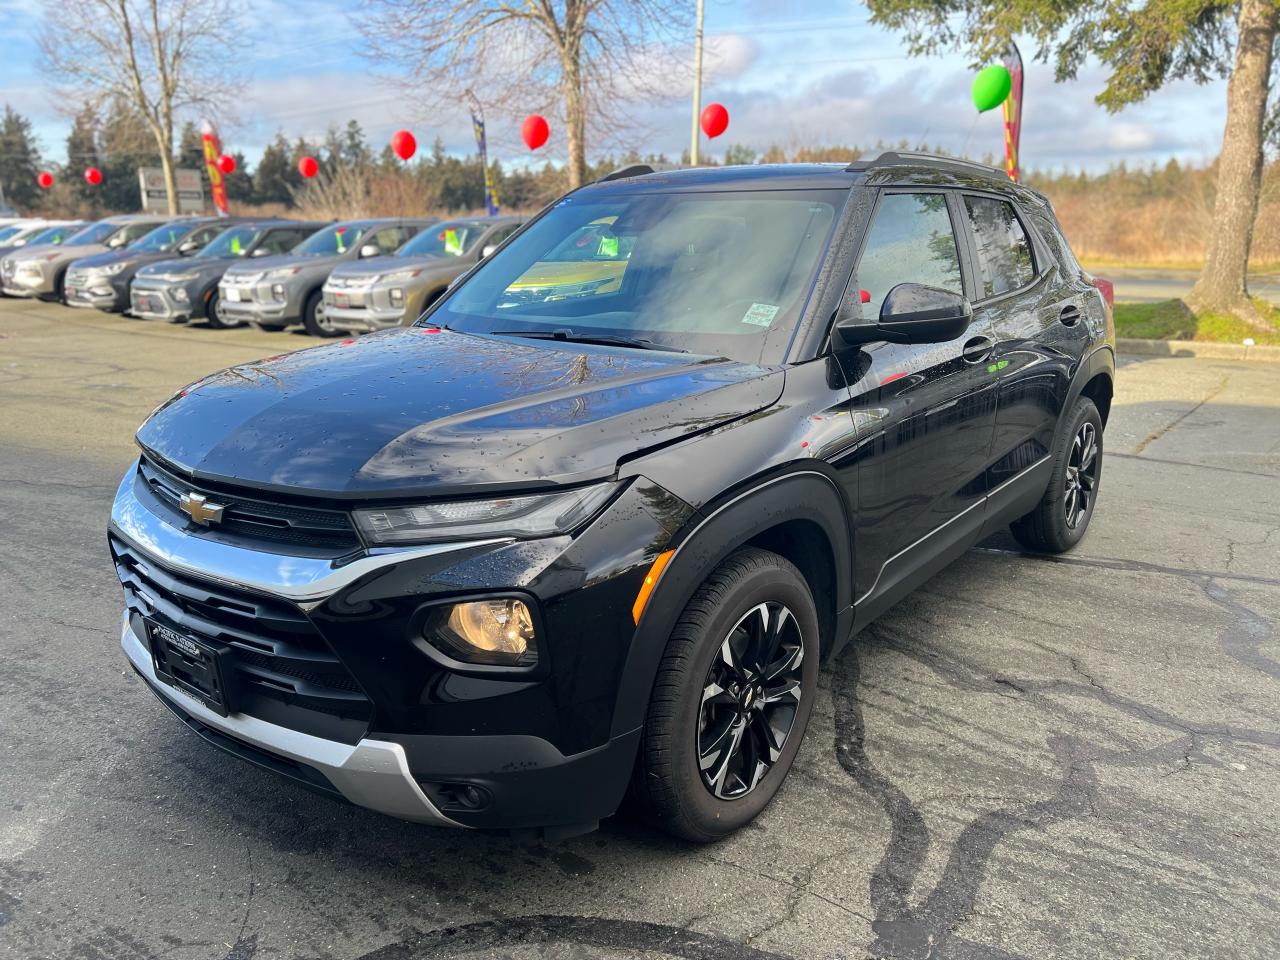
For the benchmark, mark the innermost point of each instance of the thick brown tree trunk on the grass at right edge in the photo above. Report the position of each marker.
(1224, 284)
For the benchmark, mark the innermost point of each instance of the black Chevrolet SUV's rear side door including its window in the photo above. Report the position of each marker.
(1035, 319)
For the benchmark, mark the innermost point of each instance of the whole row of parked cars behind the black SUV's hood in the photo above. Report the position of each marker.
(332, 278)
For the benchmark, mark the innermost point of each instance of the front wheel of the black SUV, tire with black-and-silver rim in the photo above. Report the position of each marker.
(670, 784)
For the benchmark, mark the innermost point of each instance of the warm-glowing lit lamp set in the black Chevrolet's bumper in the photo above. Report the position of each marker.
(499, 633)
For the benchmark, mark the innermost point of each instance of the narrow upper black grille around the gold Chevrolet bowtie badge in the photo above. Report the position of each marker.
(255, 519)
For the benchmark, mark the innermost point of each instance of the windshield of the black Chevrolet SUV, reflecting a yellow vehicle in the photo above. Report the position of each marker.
(708, 273)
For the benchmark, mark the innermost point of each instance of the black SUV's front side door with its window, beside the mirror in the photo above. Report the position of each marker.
(925, 413)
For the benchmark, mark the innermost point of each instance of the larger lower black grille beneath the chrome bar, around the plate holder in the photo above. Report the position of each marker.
(284, 670)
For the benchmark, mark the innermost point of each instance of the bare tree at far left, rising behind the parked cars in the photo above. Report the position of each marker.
(162, 57)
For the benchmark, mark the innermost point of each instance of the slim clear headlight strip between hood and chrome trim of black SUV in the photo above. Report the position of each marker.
(538, 515)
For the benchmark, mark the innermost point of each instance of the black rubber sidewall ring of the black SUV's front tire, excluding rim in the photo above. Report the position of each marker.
(710, 813)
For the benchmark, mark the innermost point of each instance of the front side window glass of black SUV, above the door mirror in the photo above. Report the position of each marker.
(911, 241)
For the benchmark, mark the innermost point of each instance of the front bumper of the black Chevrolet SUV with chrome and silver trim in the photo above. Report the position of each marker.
(541, 748)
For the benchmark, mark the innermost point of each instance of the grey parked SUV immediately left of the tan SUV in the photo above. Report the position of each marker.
(277, 292)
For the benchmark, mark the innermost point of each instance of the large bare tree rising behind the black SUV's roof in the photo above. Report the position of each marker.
(573, 57)
